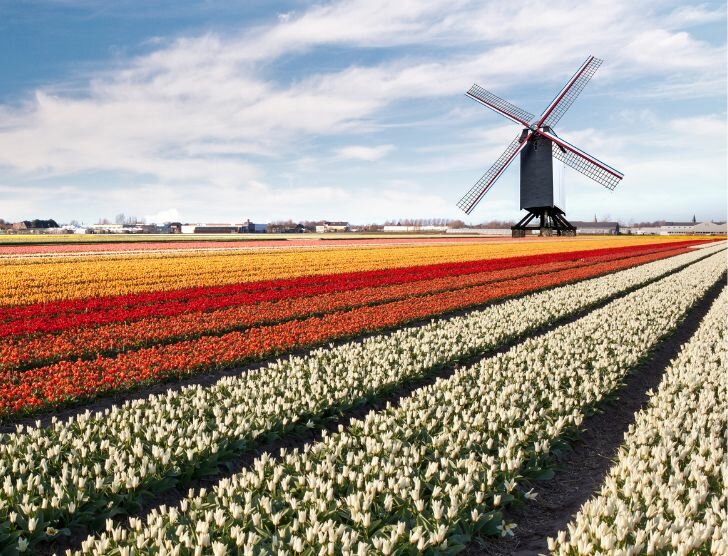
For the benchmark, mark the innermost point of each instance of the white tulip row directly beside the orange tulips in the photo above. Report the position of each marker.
(72, 473)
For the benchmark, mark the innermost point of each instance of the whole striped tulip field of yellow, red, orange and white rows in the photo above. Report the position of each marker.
(418, 391)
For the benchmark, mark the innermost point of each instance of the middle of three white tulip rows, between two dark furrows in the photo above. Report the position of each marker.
(427, 474)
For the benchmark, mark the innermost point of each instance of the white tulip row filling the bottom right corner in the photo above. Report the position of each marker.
(668, 490)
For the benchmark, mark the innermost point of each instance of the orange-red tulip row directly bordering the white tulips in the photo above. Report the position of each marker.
(71, 382)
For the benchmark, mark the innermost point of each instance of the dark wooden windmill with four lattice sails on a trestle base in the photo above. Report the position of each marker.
(539, 145)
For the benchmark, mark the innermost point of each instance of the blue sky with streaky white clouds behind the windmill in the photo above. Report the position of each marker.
(224, 110)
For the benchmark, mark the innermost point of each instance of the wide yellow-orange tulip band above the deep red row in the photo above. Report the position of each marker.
(24, 281)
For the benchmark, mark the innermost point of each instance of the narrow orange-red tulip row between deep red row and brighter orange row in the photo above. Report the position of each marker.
(17, 353)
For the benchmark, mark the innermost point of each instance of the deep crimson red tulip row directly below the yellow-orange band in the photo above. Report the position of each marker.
(63, 315)
